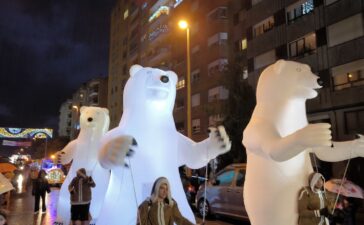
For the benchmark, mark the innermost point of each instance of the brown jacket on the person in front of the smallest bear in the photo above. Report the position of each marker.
(80, 189)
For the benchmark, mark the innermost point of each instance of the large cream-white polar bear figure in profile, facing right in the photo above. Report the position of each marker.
(279, 139)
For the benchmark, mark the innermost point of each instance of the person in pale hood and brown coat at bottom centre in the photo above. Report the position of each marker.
(160, 208)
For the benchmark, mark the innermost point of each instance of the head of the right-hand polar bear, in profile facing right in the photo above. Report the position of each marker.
(285, 80)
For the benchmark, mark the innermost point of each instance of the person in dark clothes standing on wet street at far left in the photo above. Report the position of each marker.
(40, 187)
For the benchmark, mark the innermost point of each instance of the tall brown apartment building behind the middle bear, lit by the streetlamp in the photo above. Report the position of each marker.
(160, 43)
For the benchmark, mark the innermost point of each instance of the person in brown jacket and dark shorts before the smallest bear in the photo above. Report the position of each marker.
(80, 189)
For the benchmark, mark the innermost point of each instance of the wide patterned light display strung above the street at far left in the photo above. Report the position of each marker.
(25, 133)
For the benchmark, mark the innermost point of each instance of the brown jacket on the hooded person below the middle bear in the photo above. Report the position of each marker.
(148, 212)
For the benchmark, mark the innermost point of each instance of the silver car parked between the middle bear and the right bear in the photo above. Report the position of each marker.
(224, 193)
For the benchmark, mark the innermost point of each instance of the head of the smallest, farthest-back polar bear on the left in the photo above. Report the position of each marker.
(94, 118)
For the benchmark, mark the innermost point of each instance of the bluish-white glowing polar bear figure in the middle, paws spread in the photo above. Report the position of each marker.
(149, 97)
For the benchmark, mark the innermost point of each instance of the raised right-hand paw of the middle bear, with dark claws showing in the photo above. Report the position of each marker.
(219, 142)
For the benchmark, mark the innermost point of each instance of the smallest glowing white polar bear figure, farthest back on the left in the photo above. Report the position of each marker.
(94, 123)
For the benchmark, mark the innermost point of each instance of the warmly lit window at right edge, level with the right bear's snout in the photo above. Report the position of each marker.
(348, 75)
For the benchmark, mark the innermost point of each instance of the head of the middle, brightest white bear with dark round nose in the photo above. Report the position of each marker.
(150, 88)
